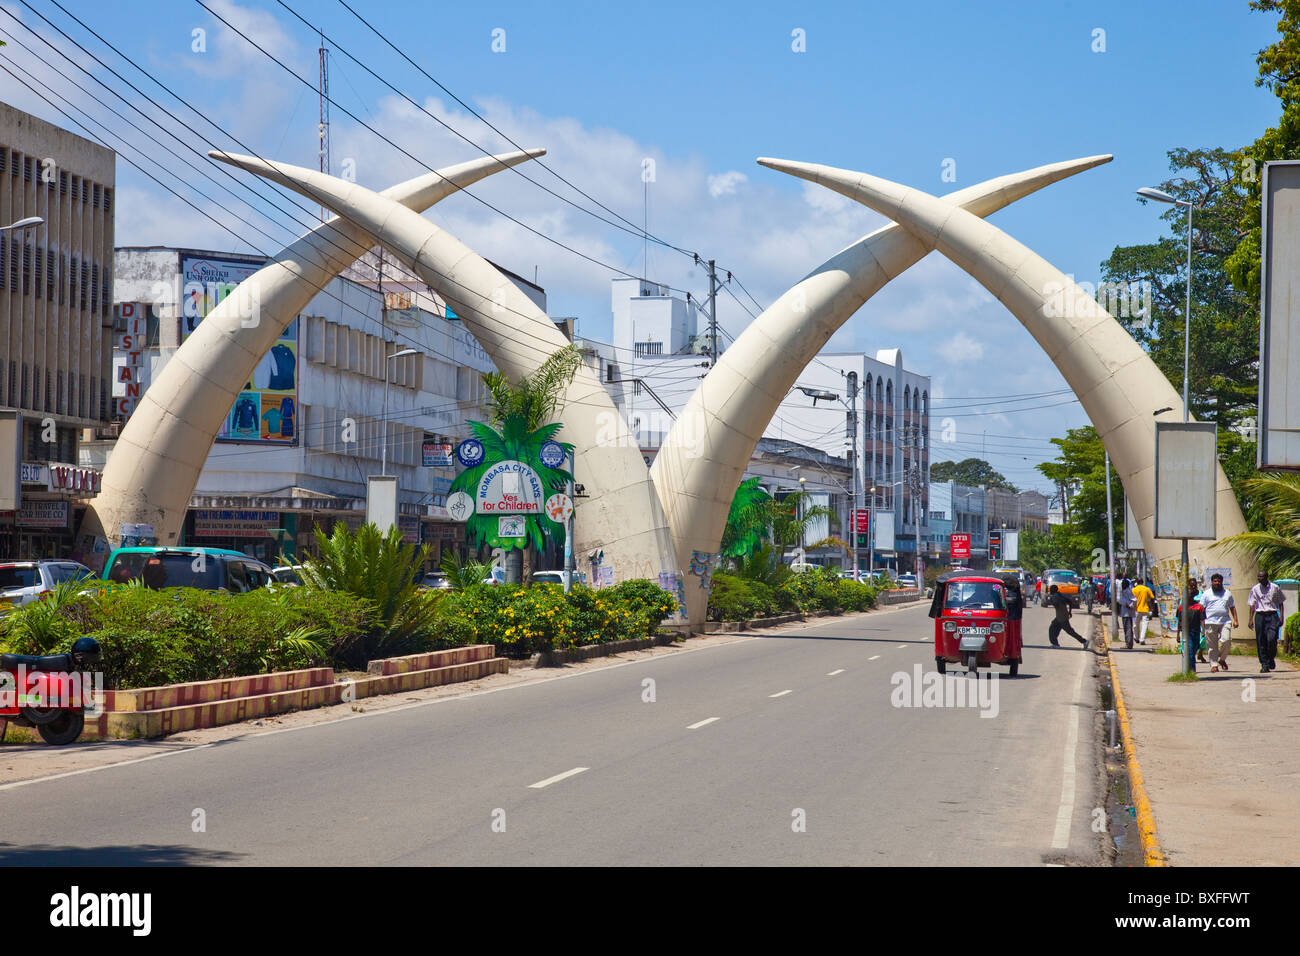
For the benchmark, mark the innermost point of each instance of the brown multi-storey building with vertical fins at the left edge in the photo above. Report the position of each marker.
(55, 325)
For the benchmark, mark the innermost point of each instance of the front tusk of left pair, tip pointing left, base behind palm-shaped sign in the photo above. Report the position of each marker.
(622, 516)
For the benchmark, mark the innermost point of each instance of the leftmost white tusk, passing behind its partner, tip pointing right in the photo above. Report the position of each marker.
(155, 465)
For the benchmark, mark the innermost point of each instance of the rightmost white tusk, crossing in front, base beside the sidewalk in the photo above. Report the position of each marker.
(1115, 380)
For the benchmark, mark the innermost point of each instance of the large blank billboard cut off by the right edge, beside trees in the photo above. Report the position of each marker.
(1280, 318)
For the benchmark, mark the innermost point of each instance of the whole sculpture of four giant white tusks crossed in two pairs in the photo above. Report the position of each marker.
(664, 524)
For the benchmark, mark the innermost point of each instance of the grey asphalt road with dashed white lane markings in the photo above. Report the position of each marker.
(778, 750)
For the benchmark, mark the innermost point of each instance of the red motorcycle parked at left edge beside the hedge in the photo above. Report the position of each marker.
(49, 693)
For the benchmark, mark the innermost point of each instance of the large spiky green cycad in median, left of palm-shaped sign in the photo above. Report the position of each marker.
(379, 568)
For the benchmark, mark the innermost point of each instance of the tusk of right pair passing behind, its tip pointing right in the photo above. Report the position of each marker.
(705, 455)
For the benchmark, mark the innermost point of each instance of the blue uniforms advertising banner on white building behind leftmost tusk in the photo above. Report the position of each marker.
(266, 413)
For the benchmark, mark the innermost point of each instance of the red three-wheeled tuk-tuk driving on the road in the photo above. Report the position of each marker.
(978, 620)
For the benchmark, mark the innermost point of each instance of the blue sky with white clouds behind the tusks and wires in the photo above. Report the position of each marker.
(885, 88)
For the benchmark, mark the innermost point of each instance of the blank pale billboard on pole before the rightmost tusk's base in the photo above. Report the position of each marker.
(1186, 474)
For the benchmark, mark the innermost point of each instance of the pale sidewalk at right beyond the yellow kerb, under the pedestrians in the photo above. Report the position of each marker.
(1219, 758)
